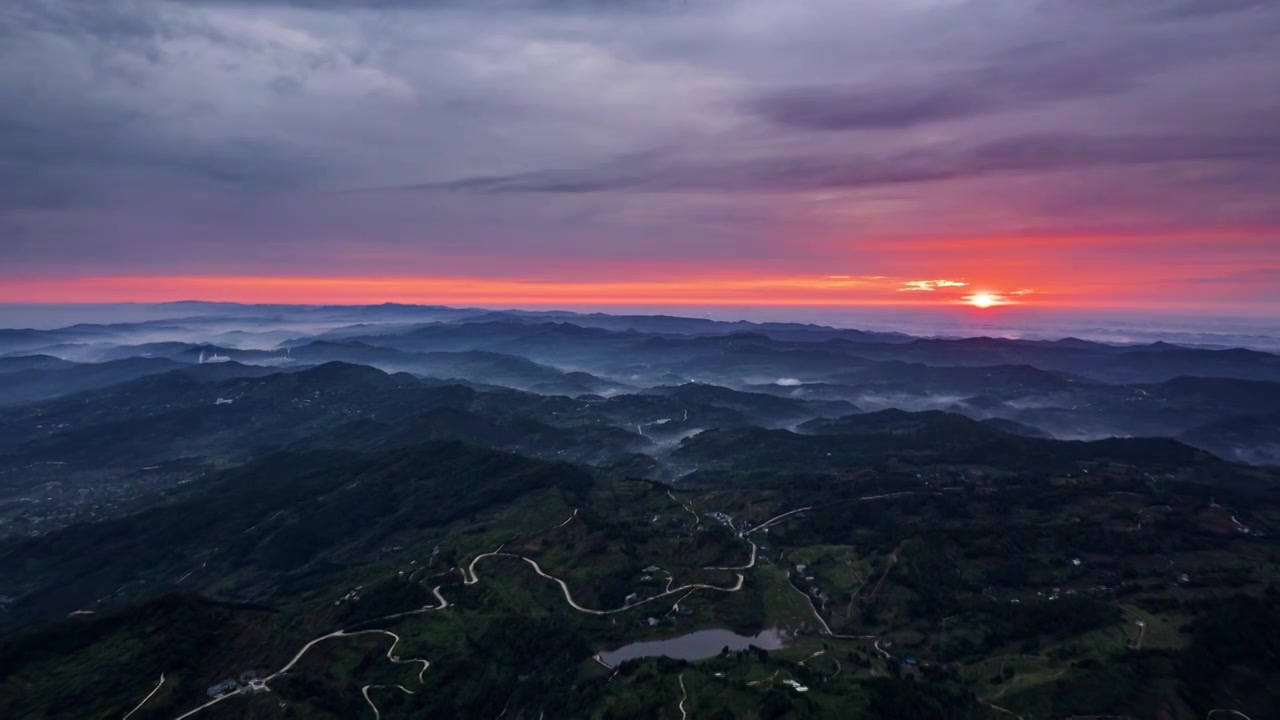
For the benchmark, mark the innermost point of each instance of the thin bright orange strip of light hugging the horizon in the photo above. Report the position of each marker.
(671, 290)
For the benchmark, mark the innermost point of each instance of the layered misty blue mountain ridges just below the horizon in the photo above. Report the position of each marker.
(1069, 389)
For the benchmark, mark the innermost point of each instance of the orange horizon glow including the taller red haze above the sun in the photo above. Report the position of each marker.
(1103, 271)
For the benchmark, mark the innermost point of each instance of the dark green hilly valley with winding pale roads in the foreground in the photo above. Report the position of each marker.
(339, 541)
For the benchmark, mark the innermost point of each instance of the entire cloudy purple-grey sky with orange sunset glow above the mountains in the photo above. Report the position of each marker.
(1053, 154)
